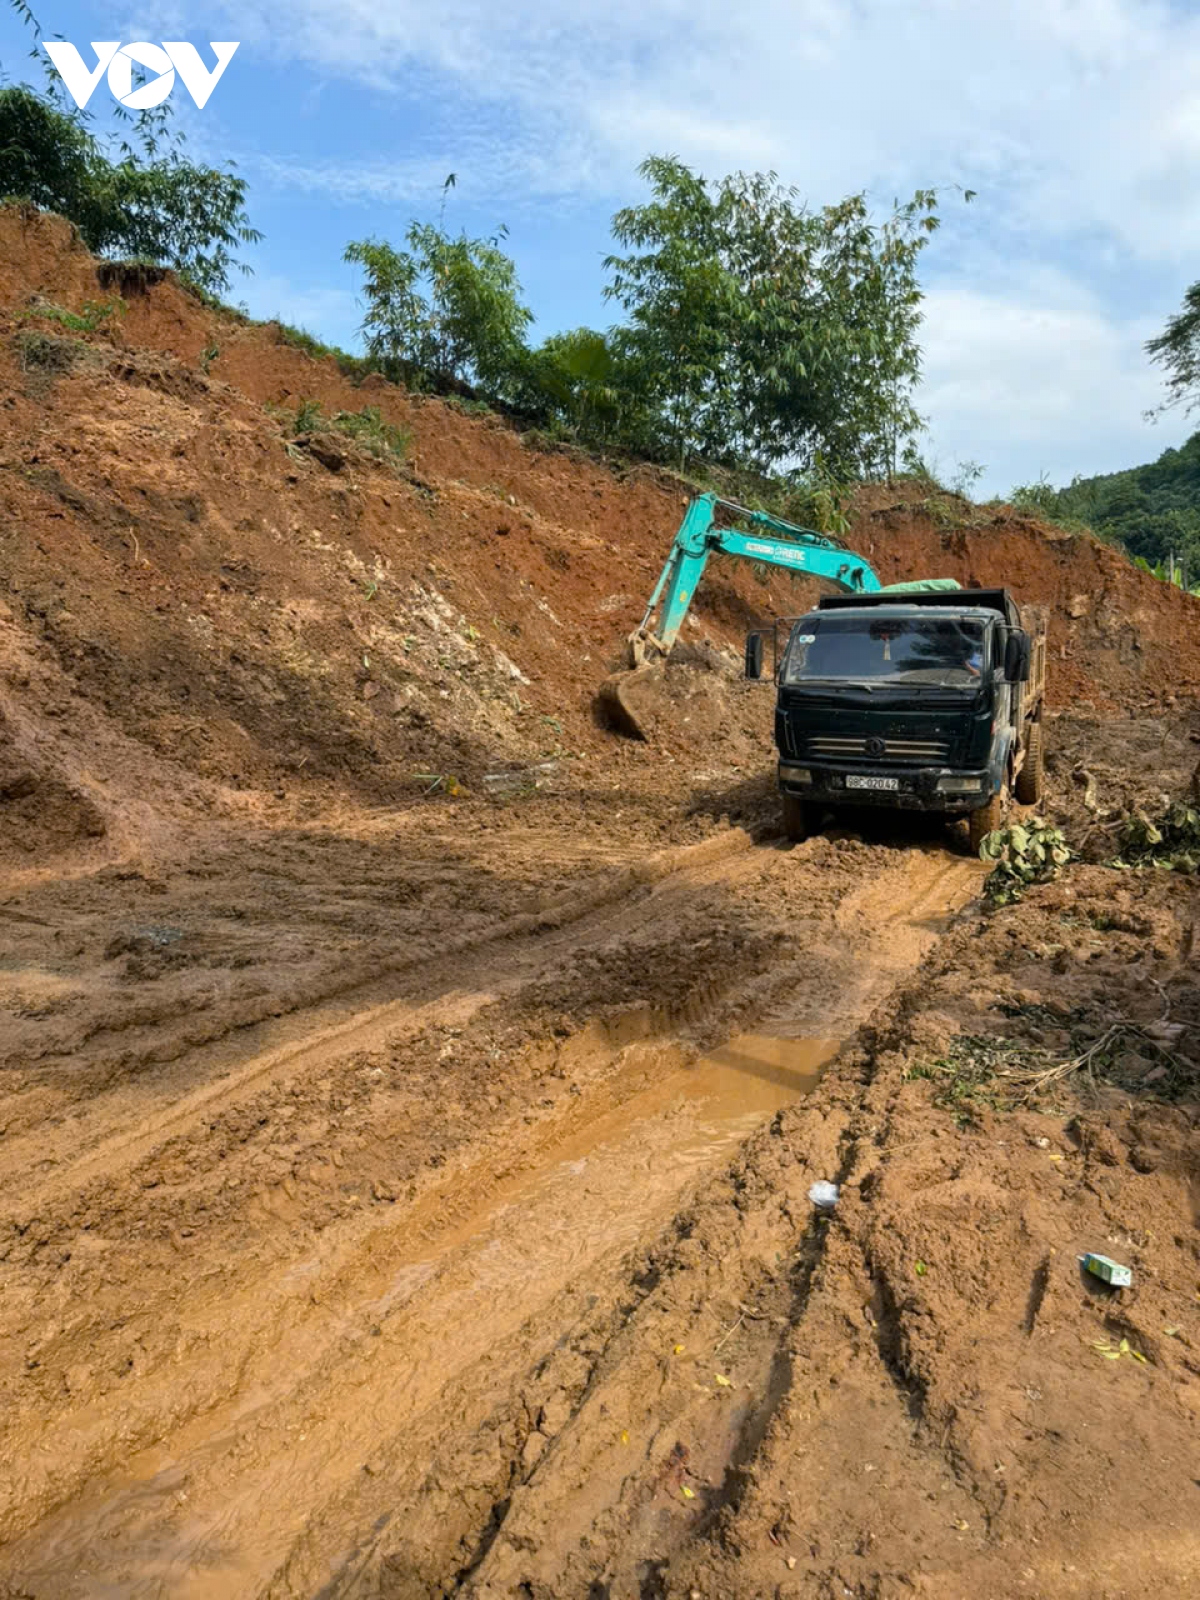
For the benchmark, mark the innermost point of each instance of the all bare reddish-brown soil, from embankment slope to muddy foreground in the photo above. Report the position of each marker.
(370, 1228)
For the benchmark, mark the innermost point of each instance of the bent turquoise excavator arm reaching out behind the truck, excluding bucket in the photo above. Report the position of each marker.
(799, 551)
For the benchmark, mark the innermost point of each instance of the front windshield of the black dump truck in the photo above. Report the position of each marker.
(887, 649)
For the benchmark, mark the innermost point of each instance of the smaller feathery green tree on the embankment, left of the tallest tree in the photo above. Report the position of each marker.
(446, 311)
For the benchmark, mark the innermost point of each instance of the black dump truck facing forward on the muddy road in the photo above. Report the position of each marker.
(926, 702)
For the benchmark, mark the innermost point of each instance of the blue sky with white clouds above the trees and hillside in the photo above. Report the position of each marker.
(1078, 124)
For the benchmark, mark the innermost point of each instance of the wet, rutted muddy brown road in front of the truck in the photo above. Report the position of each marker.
(329, 1161)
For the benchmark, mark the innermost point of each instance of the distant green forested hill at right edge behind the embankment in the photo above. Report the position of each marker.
(1153, 511)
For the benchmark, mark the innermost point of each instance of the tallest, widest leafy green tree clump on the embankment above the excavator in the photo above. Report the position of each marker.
(774, 332)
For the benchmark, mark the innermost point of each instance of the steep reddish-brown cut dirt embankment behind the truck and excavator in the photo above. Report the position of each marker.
(279, 618)
